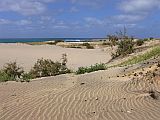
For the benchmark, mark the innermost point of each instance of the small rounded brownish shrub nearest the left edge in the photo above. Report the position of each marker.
(13, 70)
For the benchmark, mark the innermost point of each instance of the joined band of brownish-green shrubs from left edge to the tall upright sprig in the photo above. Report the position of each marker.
(42, 68)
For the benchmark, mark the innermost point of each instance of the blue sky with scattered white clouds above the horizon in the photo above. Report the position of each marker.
(78, 18)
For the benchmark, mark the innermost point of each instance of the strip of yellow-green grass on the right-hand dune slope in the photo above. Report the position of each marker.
(152, 53)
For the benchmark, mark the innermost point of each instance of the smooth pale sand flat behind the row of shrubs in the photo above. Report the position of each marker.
(27, 55)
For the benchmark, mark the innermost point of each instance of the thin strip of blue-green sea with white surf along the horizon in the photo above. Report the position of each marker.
(16, 40)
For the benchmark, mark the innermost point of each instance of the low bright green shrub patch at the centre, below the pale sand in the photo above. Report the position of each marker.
(92, 68)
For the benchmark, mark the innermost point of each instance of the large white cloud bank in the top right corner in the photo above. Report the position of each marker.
(136, 10)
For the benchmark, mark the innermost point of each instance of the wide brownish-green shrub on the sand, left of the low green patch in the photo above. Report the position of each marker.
(46, 67)
